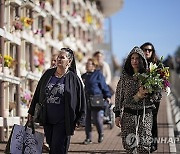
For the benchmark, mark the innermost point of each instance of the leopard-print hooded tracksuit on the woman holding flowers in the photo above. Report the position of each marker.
(132, 125)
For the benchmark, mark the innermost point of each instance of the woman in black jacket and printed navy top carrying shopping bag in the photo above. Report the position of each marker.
(64, 103)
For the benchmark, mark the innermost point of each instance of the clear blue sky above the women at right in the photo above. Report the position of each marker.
(139, 21)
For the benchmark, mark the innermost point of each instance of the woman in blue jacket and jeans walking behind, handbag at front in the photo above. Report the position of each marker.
(95, 85)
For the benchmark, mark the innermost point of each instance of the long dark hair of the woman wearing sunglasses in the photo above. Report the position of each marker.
(154, 58)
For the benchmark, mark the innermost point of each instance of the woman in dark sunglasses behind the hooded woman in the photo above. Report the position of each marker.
(150, 54)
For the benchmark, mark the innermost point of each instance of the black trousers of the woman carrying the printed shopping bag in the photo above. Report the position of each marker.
(56, 138)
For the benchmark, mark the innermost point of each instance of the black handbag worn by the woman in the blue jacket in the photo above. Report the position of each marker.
(96, 101)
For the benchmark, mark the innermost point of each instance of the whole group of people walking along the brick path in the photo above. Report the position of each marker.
(70, 100)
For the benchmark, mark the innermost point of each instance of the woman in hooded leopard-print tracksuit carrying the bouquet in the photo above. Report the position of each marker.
(133, 108)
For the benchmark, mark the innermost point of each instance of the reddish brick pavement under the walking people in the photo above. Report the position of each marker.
(112, 141)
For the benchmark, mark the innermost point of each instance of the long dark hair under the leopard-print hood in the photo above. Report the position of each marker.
(128, 67)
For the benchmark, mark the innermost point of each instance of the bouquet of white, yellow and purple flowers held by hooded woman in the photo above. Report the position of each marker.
(156, 78)
